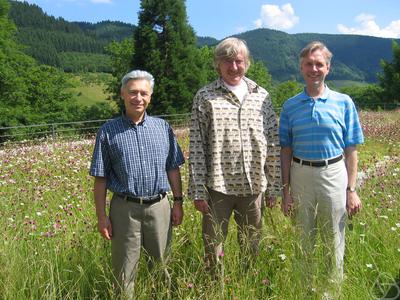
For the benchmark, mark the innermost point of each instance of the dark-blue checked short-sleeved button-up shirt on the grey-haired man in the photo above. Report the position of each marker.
(135, 158)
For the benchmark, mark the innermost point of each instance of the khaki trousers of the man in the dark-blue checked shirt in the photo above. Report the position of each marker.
(137, 226)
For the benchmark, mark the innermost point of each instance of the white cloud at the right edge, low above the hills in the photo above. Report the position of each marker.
(368, 26)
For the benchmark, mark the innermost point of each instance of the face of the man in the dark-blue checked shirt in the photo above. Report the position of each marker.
(137, 96)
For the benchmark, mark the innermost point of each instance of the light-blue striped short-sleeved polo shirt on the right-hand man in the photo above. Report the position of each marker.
(320, 129)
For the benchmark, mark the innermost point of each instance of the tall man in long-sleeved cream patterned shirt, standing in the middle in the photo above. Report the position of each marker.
(234, 153)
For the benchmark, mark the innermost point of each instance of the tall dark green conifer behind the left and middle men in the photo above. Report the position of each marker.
(165, 46)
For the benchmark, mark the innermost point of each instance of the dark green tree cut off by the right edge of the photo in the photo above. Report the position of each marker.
(390, 79)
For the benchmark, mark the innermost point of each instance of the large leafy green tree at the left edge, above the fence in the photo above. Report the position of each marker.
(30, 93)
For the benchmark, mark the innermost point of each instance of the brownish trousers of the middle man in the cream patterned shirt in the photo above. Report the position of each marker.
(248, 216)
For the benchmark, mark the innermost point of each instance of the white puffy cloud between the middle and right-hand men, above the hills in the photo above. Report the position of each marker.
(275, 17)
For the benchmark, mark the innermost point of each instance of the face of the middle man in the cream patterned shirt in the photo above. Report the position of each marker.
(232, 70)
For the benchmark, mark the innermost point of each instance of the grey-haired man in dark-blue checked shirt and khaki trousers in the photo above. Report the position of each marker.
(137, 158)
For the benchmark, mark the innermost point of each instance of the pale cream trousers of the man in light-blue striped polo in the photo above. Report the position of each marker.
(319, 194)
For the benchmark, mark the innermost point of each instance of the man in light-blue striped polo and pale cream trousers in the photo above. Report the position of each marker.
(319, 131)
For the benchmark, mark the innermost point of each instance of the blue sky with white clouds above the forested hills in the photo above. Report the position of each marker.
(222, 18)
